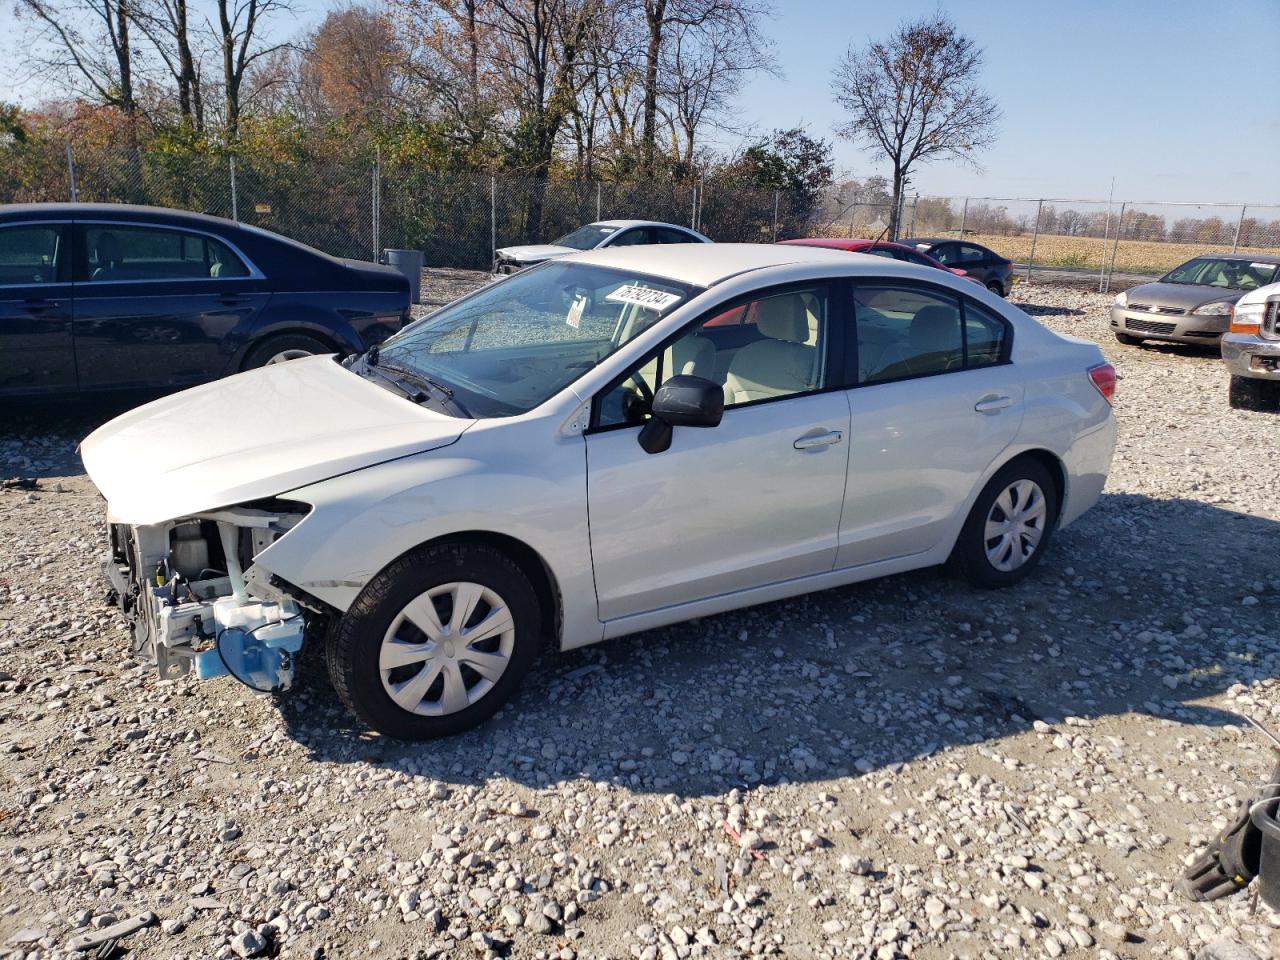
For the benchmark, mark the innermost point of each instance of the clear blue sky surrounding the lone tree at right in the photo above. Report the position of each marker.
(1174, 99)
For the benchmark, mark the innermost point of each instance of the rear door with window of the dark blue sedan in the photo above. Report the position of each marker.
(159, 307)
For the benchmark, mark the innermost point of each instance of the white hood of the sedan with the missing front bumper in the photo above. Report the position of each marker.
(252, 436)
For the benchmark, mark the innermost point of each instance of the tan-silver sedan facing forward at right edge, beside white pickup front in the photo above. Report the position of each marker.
(1191, 304)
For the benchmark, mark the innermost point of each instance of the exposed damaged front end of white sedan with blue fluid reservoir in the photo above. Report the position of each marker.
(198, 601)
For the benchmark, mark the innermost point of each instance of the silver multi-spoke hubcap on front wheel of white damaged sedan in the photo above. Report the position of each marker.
(447, 650)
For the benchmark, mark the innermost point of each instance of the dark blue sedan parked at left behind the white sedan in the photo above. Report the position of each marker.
(107, 296)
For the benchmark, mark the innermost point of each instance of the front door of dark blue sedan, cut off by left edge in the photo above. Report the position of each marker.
(36, 353)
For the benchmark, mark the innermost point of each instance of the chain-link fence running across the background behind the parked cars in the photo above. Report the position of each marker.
(354, 204)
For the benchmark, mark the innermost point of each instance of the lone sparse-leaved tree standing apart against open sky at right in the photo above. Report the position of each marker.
(916, 99)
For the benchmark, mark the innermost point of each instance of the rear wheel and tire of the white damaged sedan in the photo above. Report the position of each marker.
(1009, 527)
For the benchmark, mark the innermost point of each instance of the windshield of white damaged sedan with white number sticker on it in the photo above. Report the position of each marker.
(519, 342)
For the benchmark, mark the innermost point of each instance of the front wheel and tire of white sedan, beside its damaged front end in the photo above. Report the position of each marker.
(437, 643)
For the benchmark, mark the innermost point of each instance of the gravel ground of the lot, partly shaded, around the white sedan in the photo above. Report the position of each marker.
(898, 769)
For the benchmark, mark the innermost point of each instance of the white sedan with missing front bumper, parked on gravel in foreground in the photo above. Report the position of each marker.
(598, 446)
